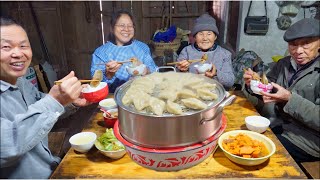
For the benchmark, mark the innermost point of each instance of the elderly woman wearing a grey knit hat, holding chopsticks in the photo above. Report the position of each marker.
(205, 33)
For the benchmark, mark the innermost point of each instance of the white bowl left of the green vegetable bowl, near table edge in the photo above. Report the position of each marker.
(83, 141)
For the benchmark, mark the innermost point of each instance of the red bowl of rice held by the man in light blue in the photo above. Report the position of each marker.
(96, 94)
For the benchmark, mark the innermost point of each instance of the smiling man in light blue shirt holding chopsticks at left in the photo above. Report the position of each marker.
(28, 115)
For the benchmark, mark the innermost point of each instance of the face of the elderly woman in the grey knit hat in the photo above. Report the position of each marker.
(205, 39)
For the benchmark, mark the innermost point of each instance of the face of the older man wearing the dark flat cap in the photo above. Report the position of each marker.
(304, 50)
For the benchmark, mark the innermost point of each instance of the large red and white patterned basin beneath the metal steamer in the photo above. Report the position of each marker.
(171, 159)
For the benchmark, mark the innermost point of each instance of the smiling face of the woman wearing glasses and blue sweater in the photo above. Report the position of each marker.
(123, 30)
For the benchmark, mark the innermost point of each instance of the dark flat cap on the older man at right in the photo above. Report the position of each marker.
(304, 28)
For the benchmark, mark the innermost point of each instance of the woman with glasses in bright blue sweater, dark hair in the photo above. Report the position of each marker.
(121, 47)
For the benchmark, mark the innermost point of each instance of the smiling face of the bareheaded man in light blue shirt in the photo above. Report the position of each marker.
(16, 53)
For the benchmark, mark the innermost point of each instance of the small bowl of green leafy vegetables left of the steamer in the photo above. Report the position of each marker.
(108, 145)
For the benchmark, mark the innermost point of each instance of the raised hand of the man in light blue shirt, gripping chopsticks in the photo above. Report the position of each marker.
(68, 91)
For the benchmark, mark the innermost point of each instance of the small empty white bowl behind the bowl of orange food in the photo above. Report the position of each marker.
(257, 124)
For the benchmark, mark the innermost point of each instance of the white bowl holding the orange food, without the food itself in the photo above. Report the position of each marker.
(248, 161)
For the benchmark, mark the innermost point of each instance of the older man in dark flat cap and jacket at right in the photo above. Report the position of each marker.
(294, 108)
